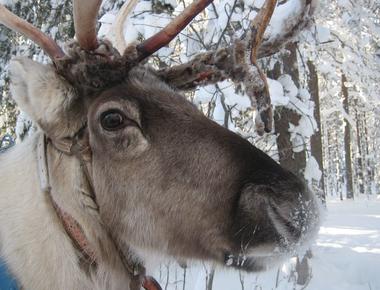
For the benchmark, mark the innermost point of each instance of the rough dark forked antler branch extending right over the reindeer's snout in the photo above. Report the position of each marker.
(232, 62)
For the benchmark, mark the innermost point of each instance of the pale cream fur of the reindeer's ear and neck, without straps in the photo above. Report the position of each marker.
(33, 242)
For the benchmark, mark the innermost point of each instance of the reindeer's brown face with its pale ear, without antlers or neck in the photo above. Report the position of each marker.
(167, 178)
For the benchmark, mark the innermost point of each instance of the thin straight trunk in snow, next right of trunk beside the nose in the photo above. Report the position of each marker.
(347, 142)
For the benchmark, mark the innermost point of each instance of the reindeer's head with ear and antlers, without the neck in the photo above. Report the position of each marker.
(165, 177)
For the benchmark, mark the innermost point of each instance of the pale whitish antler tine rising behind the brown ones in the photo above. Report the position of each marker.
(116, 33)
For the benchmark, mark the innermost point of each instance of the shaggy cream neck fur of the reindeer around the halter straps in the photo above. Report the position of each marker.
(33, 241)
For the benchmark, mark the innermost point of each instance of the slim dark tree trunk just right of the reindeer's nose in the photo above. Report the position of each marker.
(316, 139)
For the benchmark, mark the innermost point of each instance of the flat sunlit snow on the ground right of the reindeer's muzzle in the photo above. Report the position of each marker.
(347, 252)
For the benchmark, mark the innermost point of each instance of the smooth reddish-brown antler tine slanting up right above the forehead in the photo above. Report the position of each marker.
(163, 37)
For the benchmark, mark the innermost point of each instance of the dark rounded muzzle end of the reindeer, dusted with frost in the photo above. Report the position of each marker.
(284, 214)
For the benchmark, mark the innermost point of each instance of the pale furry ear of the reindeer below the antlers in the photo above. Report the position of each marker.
(45, 96)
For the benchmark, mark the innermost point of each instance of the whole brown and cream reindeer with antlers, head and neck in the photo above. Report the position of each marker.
(122, 165)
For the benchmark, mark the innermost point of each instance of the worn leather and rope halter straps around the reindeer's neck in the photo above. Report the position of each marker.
(73, 147)
